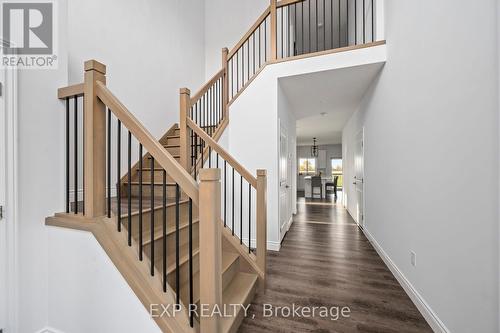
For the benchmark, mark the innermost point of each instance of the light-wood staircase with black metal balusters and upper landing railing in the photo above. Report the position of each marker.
(187, 224)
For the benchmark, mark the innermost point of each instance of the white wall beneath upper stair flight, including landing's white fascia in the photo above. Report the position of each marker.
(254, 128)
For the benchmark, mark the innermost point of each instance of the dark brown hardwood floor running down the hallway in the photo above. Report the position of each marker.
(325, 260)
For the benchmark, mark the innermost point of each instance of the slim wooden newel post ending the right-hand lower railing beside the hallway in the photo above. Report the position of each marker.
(262, 223)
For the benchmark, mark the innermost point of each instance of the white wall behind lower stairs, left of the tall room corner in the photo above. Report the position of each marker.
(152, 48)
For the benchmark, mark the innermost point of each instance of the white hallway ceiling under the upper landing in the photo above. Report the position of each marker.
(336, 93)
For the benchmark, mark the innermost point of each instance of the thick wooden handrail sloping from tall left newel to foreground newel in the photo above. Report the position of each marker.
(160, 154)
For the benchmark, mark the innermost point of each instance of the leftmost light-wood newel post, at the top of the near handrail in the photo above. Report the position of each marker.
(94, 137)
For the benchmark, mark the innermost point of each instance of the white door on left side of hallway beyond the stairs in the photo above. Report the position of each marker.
(283, 214)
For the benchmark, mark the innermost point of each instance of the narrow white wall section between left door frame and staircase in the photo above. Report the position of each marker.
(40, 173)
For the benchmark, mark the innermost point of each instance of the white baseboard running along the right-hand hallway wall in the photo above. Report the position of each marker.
(430, 316)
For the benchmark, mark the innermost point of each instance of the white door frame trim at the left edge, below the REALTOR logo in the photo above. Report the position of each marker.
(9, 92)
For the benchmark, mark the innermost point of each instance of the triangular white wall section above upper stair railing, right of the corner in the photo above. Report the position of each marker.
(226, 21)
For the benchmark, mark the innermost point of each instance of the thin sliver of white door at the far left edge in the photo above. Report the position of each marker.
(3, 227)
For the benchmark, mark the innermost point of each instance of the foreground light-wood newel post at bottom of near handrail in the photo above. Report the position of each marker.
(210, 248)
